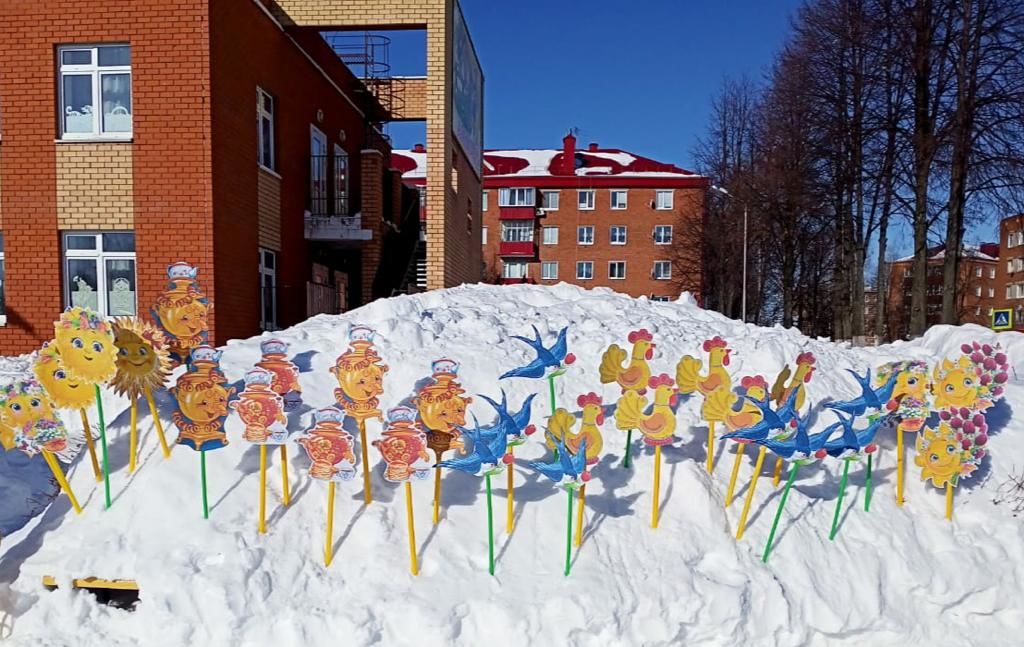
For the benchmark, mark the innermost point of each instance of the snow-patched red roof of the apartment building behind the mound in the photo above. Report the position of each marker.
(546, 162)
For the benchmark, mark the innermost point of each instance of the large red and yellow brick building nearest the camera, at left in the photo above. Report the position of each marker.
(230, 135)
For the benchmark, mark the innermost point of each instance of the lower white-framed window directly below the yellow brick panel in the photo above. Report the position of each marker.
(100, 272)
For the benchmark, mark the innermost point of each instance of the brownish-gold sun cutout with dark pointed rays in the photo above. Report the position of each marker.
(144, 362)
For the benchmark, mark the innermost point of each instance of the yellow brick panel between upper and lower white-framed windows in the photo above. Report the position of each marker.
(95, 187)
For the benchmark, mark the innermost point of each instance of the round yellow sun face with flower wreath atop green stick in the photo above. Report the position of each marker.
(86, 342)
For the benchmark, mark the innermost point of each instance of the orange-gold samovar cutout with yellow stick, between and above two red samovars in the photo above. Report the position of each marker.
(361, 380)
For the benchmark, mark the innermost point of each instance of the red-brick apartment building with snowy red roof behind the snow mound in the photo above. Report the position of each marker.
(591, 218)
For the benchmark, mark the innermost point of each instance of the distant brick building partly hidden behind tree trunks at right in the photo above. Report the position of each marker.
(979, 289)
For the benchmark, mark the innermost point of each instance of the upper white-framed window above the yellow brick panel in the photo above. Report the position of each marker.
(96, 92)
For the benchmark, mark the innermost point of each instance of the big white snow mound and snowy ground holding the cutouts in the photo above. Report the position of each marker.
(894, 576)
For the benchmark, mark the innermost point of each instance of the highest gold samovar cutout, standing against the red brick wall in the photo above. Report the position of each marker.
(183, 312)
